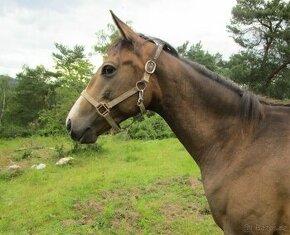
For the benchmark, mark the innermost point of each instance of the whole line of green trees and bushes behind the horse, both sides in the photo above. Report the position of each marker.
(38, 99)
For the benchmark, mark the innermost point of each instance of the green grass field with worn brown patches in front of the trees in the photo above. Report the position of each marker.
(117, 187)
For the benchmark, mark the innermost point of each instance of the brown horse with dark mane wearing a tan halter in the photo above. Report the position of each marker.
(240, 142)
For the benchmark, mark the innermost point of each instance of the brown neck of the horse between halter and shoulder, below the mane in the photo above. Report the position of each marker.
(201, 112)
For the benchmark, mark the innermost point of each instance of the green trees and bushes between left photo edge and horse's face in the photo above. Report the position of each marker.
(40, 99)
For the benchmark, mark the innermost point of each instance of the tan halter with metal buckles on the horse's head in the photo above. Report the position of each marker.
(104, 109)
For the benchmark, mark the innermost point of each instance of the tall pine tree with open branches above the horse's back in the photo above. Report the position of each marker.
(262, 28)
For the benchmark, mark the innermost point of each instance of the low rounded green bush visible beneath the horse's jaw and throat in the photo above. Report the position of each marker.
(151, 127)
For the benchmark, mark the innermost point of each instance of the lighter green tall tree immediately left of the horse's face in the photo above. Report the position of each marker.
(73, 71)
